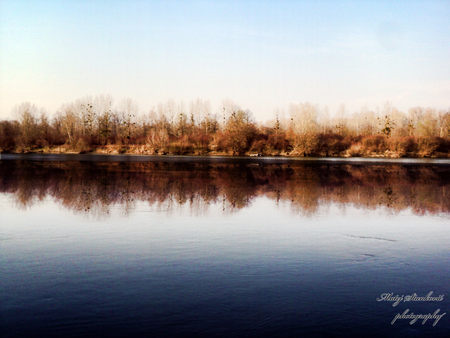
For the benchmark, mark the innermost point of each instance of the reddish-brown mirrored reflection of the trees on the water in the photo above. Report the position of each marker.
(93, 187)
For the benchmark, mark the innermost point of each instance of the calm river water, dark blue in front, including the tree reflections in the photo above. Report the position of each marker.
(222, 248)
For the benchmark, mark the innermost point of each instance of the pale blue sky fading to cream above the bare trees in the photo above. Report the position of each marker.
(262, 55)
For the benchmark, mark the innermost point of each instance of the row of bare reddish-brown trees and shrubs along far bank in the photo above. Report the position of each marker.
(303, 129)
